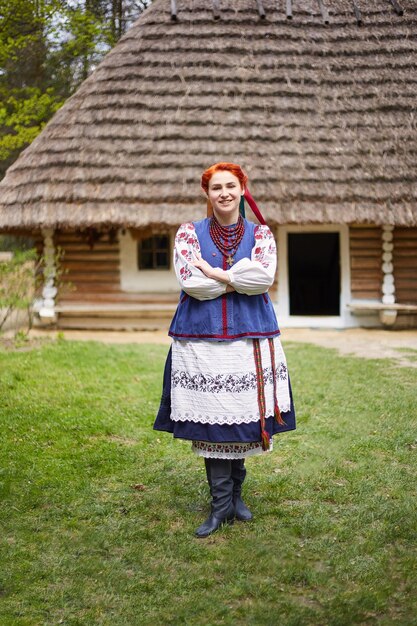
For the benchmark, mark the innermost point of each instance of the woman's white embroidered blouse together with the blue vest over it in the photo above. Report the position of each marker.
(207, 311)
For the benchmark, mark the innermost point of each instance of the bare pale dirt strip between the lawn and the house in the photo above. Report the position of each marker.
(399, 345)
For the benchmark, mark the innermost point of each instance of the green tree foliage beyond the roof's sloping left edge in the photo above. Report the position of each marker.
(47, 47)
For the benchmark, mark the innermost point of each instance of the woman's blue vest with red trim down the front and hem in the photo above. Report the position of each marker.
(232, 315)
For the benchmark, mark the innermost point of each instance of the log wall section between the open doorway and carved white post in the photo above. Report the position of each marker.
(365, 262)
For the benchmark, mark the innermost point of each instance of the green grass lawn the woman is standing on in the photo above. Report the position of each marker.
(98, 510)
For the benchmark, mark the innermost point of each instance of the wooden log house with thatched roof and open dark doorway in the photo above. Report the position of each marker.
(315, 99)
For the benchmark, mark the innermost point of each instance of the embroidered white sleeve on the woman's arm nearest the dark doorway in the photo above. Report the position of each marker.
(256, 275)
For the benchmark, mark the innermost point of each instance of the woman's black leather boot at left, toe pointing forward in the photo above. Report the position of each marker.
(221, 489)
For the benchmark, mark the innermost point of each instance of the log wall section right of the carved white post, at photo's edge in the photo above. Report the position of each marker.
(405, 265)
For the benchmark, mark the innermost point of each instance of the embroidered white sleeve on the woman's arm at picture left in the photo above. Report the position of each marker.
(191, 279)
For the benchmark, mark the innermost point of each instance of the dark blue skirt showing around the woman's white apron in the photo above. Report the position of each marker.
(244, 433)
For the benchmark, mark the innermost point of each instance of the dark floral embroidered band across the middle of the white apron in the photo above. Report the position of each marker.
(234, 383)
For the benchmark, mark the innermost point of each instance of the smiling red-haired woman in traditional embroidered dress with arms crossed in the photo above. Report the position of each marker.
(226, 386)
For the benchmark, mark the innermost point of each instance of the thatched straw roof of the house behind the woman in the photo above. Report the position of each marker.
(323, 118)
